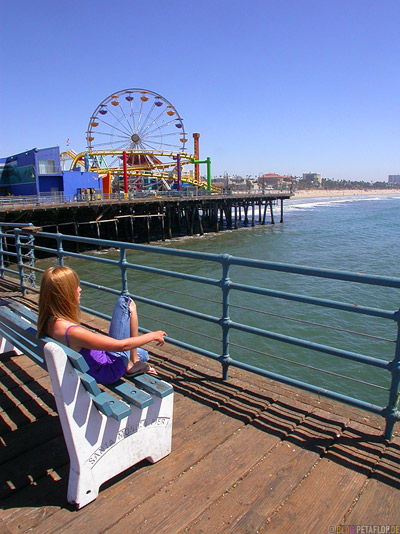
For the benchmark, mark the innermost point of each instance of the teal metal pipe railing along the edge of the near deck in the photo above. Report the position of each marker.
(20, 248)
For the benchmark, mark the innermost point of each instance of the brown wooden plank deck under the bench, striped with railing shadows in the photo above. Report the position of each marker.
(248, 455)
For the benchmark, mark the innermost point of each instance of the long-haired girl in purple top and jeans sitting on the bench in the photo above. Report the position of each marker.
(109, 357)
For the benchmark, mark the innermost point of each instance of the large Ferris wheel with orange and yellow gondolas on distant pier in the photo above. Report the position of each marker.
(138, 121)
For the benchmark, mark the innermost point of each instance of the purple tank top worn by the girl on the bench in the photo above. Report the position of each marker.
(104, 367)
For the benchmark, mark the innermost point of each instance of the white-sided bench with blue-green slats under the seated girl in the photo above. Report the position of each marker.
(104, 434)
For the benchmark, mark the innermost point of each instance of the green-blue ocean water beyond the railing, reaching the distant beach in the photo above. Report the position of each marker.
(359, 234)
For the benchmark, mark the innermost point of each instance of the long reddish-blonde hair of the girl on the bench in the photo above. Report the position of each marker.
(58, 297)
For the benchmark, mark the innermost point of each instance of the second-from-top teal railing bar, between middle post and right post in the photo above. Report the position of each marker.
(373, 312)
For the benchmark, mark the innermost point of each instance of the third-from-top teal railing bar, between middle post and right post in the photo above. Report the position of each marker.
(310, 345)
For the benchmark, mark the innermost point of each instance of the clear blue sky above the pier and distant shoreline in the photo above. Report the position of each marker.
(285, 86)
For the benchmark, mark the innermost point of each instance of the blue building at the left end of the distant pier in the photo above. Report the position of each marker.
(38, 172)
